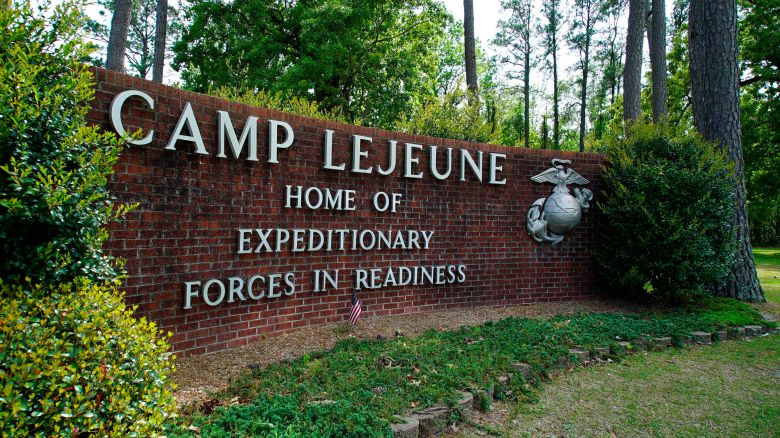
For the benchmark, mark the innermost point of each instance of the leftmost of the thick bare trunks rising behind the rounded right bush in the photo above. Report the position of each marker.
(632, 71)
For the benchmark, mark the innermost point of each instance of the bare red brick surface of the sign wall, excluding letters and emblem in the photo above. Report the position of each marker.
(191, 206)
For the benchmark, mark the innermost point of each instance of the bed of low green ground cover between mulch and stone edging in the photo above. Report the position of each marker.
(358, 387)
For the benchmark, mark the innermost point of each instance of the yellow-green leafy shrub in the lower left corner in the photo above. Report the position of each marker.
(74, 360)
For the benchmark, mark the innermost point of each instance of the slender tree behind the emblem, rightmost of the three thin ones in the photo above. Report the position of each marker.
(587, 13)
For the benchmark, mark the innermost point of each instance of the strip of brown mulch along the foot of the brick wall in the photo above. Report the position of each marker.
(197, 377)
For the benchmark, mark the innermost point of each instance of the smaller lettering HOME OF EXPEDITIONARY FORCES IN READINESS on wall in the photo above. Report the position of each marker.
(215, 291)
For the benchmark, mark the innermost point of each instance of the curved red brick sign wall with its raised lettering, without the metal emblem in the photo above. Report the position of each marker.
(224, 249)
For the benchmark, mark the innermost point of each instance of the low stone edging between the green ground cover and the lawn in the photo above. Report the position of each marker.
(434, 420)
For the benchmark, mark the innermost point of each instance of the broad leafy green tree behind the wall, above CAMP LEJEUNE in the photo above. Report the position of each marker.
(378, 63)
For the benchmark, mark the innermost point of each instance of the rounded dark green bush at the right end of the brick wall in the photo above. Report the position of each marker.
(668, 202)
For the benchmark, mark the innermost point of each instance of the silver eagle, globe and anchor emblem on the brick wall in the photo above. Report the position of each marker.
(550, 218)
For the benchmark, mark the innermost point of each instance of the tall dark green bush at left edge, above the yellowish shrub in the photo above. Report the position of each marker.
(53, 169)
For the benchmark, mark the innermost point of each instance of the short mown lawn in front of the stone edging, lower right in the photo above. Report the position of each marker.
(730, 389)
